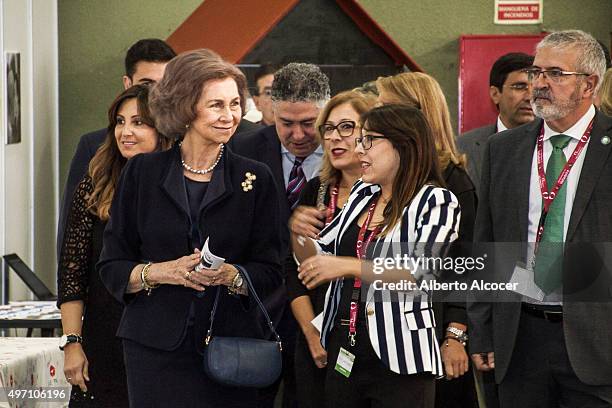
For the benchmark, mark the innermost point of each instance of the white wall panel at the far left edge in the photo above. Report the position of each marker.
(29, 170)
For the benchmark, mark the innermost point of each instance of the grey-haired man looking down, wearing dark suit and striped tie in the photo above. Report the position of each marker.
(291, 150)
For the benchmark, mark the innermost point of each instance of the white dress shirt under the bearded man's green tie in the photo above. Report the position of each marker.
(535, 197)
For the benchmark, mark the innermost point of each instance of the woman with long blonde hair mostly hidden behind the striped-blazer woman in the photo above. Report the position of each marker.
(423, 92)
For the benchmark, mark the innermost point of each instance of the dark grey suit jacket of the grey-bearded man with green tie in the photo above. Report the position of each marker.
(503, 217)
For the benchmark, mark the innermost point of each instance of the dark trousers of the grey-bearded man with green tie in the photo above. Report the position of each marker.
(540, 374)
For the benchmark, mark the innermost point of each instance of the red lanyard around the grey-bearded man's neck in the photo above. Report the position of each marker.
(549, 197)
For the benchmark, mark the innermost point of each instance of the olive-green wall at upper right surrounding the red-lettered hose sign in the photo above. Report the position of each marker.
(429, 30)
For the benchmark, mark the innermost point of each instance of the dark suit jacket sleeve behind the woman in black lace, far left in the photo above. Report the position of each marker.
(86, 149)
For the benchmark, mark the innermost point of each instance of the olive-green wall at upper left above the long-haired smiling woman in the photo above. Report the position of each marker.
(93, 38)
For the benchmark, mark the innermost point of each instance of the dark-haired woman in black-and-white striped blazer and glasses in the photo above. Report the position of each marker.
(381, 344)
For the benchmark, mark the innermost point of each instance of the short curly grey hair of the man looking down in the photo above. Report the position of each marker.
(299, 82)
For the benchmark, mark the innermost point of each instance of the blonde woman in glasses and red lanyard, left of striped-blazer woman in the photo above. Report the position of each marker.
(322, 198)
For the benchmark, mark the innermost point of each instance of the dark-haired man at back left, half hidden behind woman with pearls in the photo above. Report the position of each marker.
(145, 62)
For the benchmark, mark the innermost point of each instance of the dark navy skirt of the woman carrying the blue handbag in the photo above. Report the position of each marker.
(176, 378)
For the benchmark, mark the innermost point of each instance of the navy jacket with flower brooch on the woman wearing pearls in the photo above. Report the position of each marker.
(150, 221)
